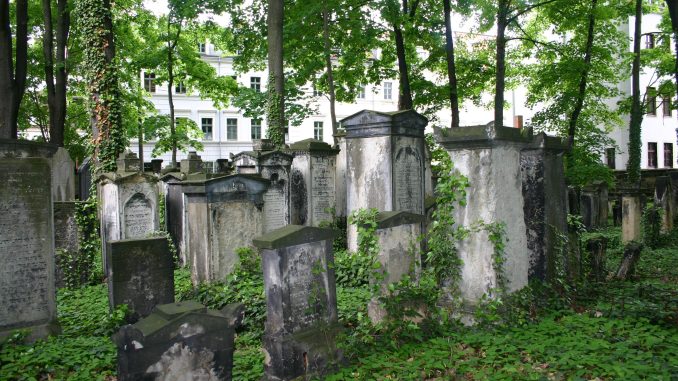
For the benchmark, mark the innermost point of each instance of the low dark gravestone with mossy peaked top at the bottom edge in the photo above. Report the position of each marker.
(179, 341)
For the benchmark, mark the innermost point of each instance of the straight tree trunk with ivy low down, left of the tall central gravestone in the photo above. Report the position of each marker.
(276, 79)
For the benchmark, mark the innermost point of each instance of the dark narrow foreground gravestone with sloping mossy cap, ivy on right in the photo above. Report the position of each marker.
(301, 304)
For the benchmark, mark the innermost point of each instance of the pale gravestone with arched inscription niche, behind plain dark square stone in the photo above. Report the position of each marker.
(129, 203)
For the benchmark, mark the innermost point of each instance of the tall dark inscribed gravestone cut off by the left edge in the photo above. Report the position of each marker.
(27, 289)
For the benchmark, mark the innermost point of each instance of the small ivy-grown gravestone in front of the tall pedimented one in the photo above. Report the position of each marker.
(399, 254)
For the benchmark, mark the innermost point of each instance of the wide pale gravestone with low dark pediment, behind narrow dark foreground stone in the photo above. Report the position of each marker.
(221, 215)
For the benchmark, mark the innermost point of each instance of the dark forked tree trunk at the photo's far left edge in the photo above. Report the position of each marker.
(12, 75)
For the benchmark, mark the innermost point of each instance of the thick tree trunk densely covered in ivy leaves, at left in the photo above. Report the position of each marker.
(96, 23)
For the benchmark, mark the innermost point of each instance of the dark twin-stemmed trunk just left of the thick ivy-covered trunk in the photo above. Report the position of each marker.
(56, 92)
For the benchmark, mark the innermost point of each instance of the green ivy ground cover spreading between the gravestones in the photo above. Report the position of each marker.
(594, 330)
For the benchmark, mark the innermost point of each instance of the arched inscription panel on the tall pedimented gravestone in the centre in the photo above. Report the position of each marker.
(408, 180)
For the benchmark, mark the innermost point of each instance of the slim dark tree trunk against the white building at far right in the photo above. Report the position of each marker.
(633, 166)
